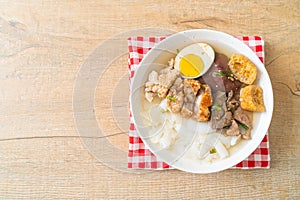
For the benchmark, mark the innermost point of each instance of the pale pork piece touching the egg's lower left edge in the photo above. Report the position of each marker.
(166, 78)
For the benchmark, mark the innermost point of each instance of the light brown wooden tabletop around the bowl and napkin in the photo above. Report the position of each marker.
(43, 46)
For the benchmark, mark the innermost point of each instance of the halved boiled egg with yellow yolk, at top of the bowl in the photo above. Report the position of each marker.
(194, 60)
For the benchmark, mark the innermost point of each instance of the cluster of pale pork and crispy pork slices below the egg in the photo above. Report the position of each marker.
(185, 96)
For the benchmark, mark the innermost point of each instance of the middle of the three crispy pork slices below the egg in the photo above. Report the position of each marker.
(190, 88)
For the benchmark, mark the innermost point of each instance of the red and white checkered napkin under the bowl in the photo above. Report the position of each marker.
(139, 157)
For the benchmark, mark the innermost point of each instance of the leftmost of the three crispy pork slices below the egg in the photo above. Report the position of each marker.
(175, 96)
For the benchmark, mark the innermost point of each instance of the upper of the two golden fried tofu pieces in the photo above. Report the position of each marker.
(242, 68)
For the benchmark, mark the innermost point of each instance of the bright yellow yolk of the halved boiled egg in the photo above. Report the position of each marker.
(191, 65)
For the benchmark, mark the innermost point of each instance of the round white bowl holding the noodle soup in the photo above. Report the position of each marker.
(159, 56)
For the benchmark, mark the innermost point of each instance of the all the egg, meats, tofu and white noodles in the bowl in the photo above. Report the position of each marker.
(223, 97)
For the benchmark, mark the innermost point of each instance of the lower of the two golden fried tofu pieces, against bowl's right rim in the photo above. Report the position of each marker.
(251, 98)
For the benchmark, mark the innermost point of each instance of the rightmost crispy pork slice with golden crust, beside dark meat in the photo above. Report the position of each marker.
(202, 104)
